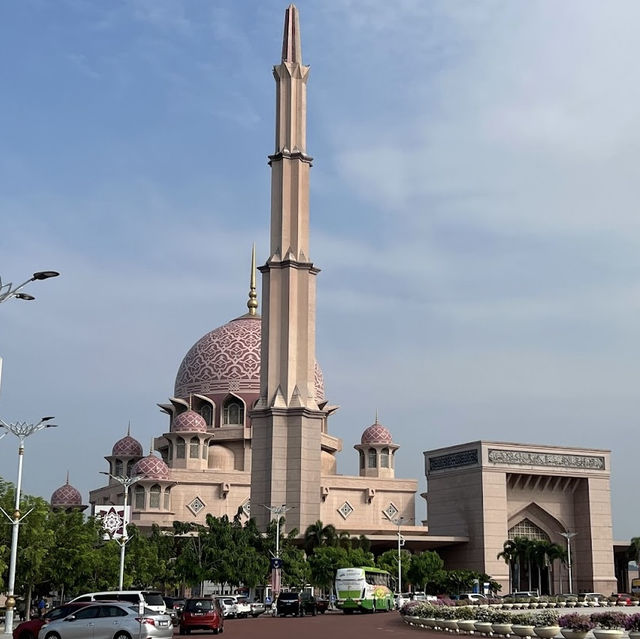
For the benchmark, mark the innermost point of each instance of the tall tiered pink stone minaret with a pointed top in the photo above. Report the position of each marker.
(287, 421)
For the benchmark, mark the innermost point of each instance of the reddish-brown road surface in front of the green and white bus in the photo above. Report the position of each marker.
(328, 626)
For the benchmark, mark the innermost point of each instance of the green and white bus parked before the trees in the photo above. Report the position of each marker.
(366, 589)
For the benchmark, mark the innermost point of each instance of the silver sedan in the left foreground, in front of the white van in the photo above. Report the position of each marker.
(109, 620)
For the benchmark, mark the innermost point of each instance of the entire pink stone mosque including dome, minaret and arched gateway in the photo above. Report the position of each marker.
(248, 423)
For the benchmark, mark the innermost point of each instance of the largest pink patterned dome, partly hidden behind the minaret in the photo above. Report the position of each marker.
(228, 359)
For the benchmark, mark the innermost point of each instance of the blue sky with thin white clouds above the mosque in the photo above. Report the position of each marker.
(475, 177)
